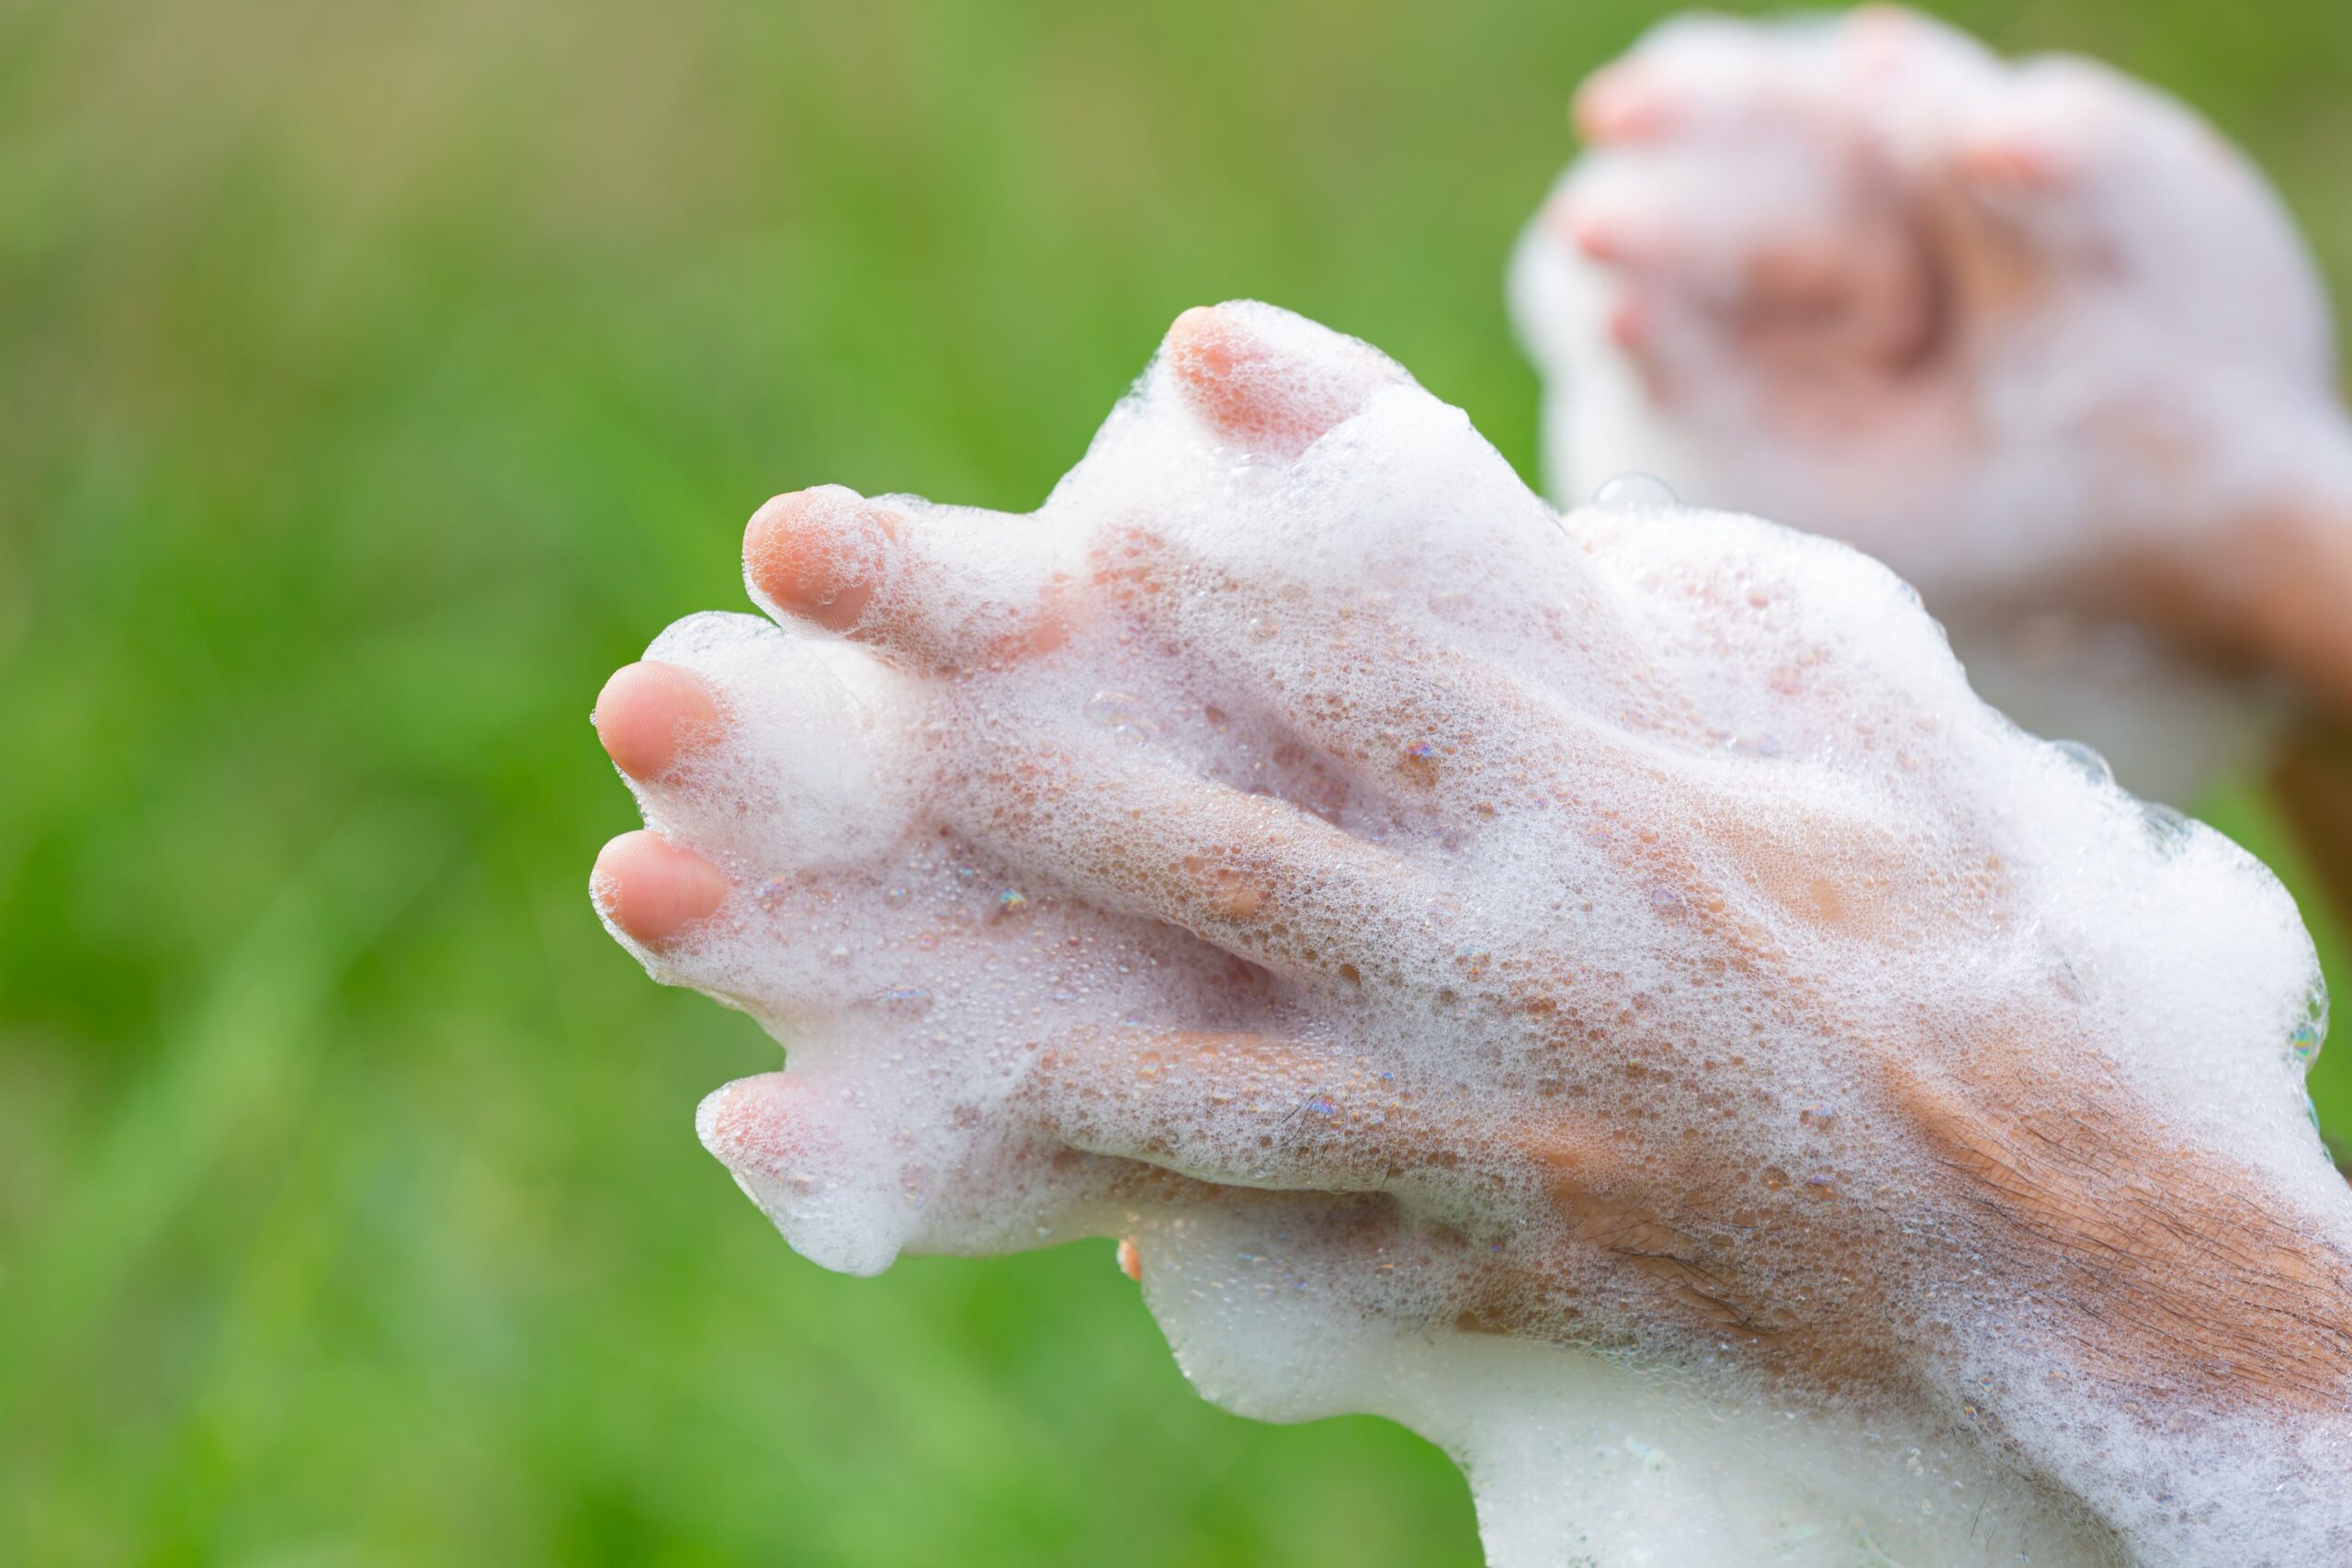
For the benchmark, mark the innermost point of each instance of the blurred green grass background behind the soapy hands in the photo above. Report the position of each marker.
(377, 377)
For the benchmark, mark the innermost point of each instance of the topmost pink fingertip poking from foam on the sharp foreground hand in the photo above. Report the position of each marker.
(1269, 380)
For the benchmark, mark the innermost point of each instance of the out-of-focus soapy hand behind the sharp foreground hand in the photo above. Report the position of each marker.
(2029, 333)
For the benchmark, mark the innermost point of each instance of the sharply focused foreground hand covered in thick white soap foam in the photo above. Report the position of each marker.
(1591, 989)
